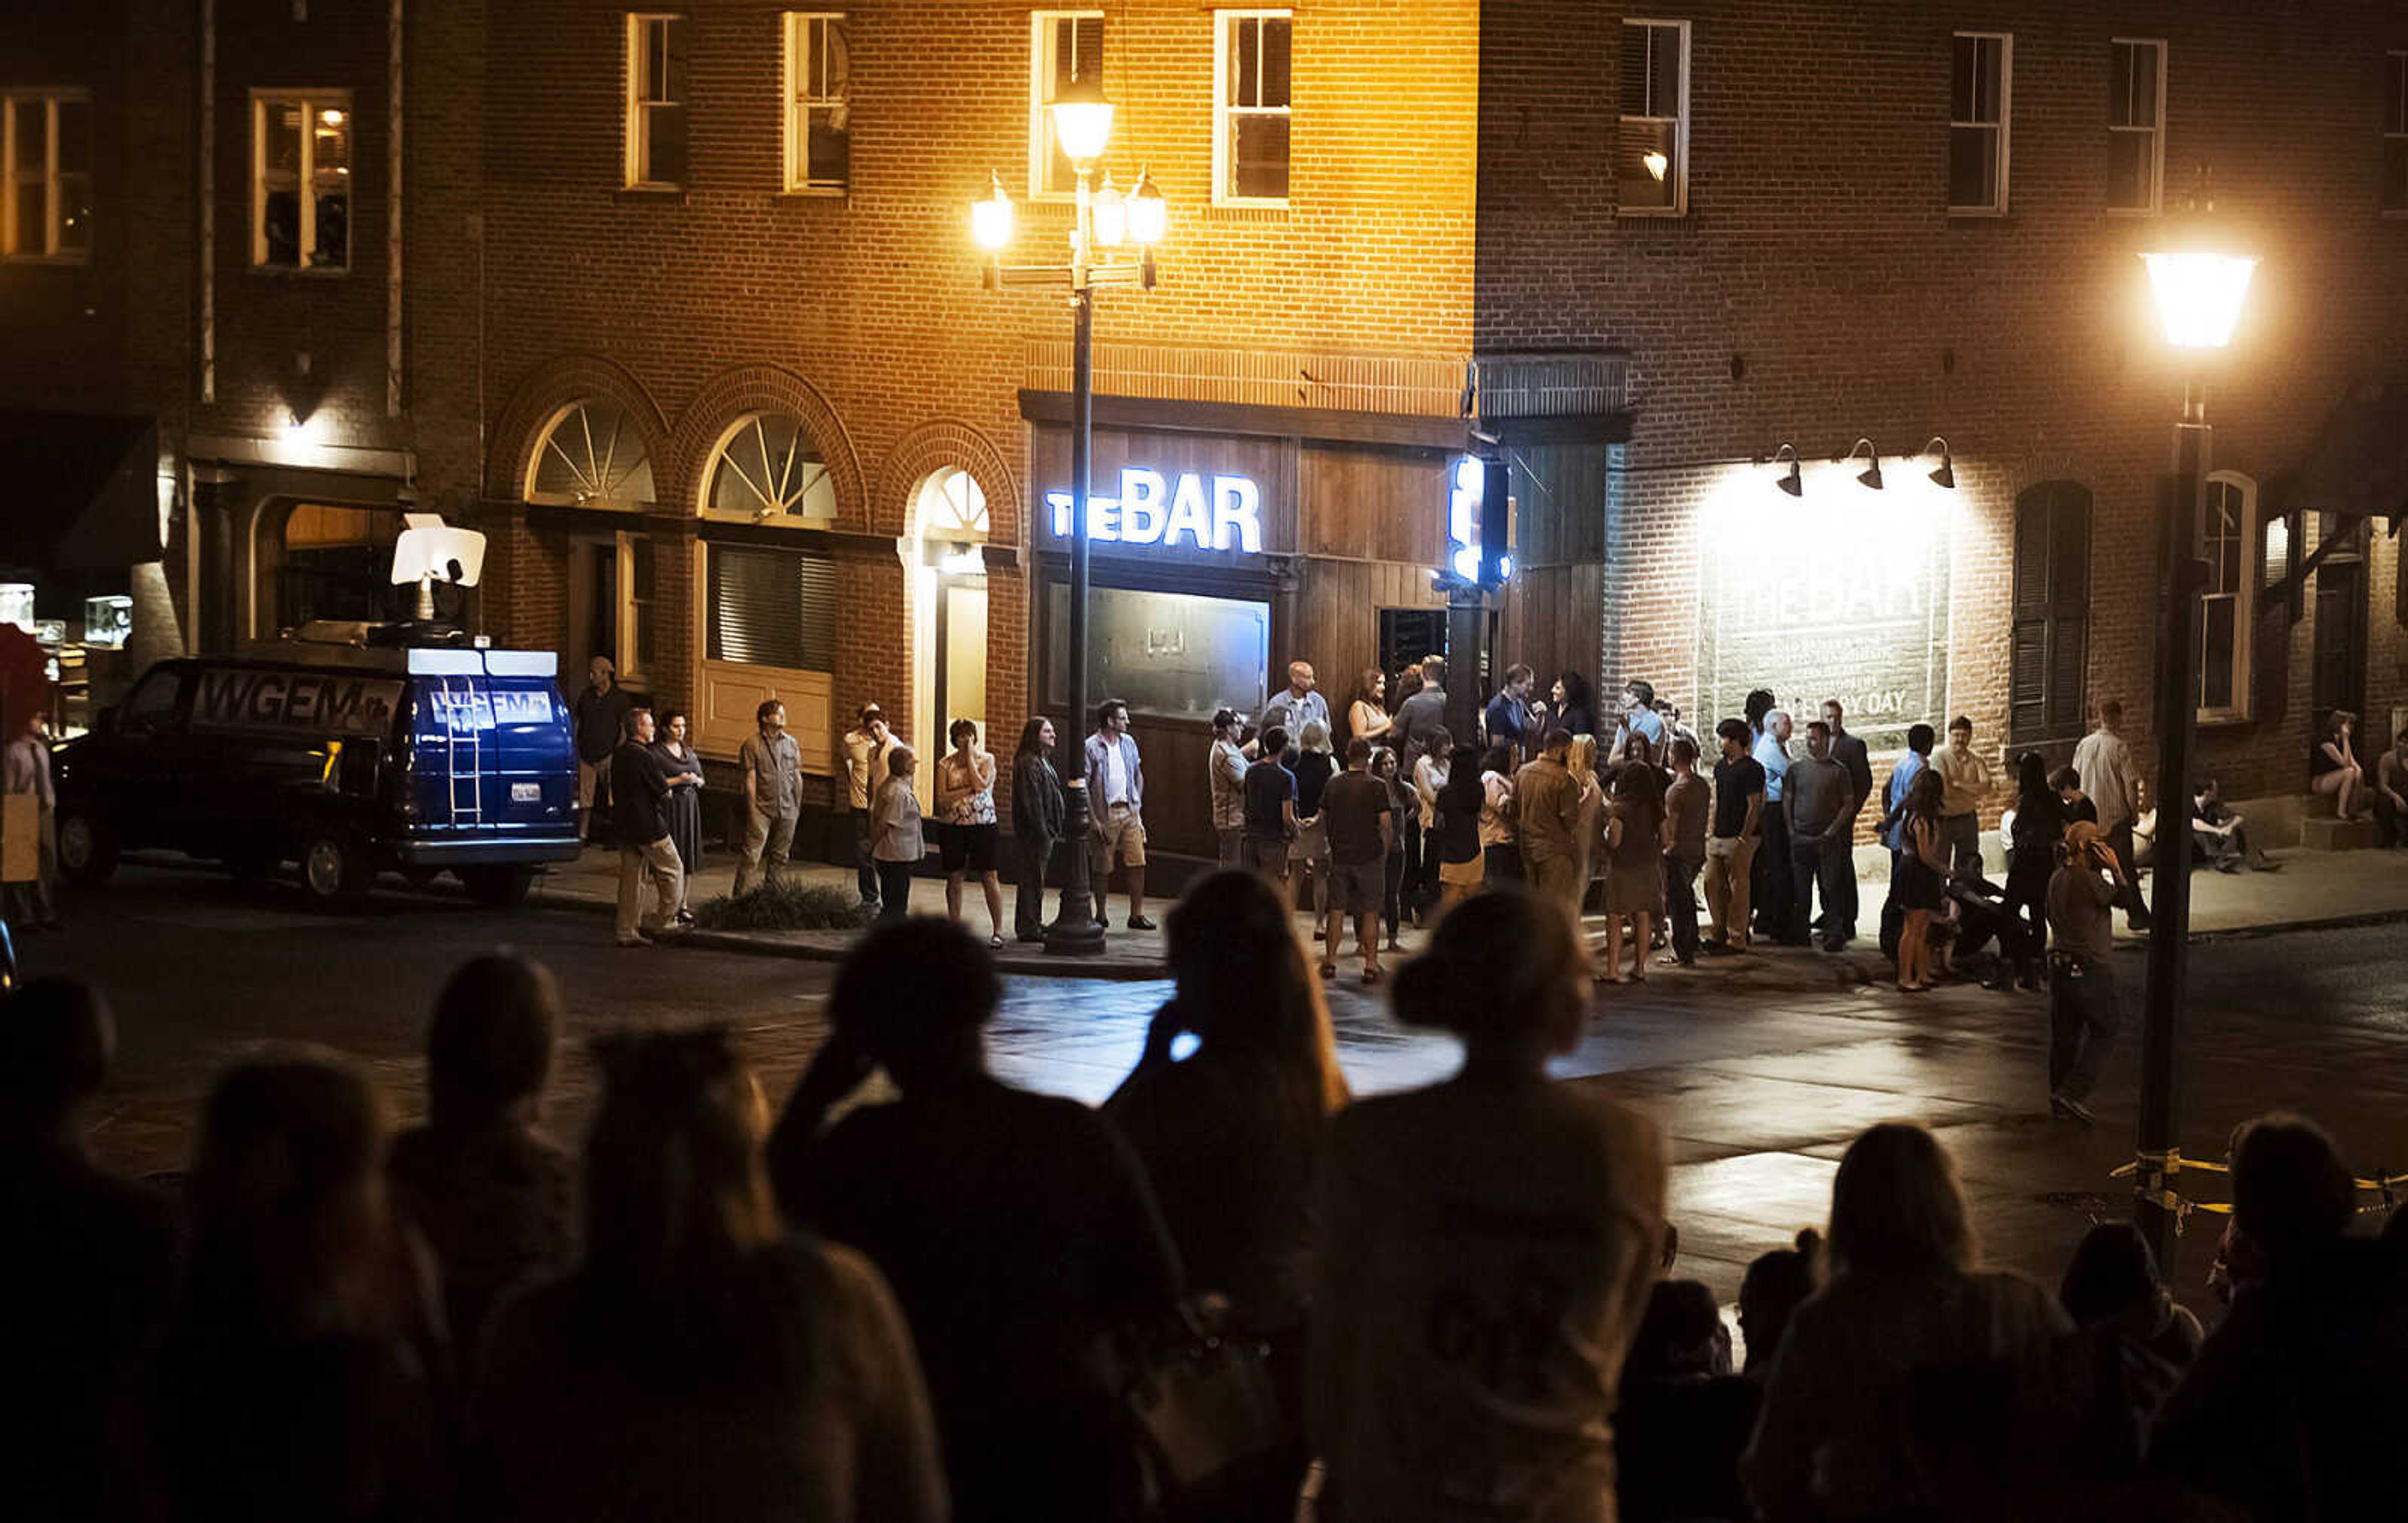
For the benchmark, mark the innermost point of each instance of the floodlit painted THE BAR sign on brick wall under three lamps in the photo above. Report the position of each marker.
(1839, 598)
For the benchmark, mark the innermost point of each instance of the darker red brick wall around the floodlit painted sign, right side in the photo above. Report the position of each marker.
(1822, 268)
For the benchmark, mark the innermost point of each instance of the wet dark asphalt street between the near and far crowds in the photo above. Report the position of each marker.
(1759, 1069)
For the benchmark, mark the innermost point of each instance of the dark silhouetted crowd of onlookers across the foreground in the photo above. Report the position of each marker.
(914, 1291)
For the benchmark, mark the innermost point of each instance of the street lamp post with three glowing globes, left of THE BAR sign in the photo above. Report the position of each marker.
(1104, 223)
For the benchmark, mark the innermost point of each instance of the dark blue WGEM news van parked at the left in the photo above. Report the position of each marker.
(348, 759)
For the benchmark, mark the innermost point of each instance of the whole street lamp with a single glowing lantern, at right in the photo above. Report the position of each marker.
(2200, 288)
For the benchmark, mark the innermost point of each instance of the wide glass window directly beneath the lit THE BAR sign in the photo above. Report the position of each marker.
(1164, 653)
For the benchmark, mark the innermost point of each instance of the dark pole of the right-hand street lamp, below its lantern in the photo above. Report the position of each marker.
(2171, 901)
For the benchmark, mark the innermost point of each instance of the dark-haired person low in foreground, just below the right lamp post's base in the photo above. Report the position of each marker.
(2137, 1341)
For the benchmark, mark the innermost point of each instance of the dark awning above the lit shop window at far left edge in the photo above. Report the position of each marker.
(81, 490)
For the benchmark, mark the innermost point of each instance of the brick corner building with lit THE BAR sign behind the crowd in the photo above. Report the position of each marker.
(692, 328)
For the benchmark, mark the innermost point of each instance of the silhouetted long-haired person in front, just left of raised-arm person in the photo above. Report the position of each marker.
(700, 1363)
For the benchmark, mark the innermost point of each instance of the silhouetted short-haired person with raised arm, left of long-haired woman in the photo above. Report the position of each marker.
(1015, 1228)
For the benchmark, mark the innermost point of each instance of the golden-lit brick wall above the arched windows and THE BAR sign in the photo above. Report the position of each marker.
(866, 314)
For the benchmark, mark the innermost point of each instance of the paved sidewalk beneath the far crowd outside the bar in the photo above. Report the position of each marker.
(2315, 889)
